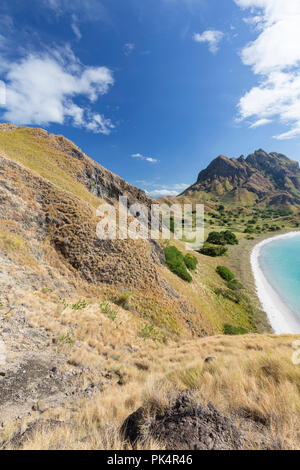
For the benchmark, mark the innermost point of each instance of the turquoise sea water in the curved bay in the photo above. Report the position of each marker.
(280, 262)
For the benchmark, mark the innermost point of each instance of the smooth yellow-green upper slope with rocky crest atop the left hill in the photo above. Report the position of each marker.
(61, 162)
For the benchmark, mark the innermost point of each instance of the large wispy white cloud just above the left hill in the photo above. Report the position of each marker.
(41, 89)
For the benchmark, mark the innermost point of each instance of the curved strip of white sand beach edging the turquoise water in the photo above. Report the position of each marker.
(281, 318)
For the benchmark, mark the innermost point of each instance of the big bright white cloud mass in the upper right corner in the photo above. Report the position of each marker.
(274, 57)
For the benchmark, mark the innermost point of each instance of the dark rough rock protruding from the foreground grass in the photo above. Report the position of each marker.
(184, 426)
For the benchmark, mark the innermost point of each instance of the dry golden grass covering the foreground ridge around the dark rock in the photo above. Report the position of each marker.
(253, 380)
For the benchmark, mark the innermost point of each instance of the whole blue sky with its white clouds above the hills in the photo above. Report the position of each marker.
(155, 89)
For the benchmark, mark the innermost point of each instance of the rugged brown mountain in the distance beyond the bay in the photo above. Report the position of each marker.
(267, 180)
